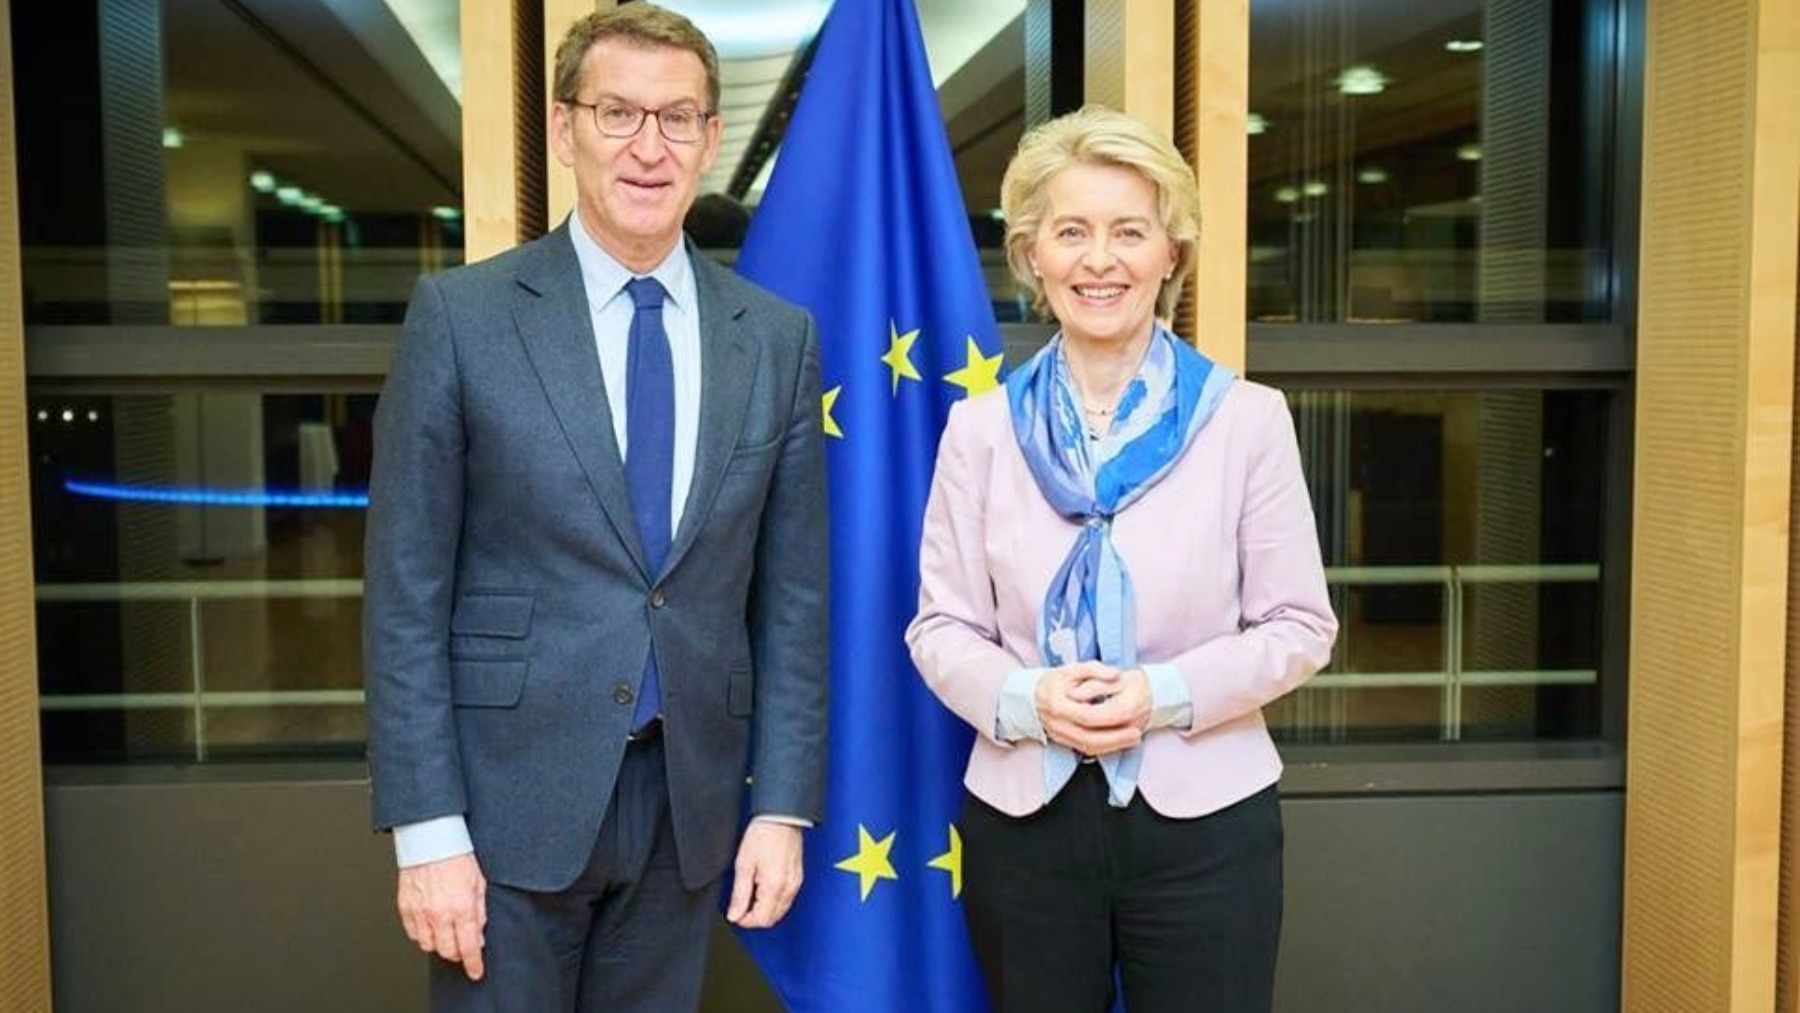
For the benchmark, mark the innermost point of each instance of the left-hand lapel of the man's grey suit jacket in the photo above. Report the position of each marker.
(552, 314)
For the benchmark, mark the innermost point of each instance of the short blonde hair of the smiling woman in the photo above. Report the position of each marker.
(1097, 136)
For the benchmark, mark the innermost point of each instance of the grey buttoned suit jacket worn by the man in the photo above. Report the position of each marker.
(508, 605)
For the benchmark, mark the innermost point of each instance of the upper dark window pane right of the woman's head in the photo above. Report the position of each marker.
(1430, 161)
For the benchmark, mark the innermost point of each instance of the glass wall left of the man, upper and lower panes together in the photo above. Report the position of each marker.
(224, 211)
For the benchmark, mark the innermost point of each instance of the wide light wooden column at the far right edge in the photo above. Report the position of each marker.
(1711, 535)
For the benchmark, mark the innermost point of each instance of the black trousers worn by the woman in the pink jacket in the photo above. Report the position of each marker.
(1070, 901)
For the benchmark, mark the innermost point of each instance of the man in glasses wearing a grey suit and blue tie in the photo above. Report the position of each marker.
(597, 573)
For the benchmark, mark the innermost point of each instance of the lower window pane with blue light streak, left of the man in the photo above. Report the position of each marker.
(199, 566)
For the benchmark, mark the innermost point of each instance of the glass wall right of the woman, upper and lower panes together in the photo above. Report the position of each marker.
(1434, 190)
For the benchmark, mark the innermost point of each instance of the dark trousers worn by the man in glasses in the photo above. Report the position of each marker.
(625, 938)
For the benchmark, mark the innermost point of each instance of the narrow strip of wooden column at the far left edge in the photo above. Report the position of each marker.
(24, 911)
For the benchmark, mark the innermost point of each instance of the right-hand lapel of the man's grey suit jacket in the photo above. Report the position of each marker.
(728, 364)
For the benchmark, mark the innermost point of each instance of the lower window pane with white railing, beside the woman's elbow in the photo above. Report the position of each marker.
(1462, 541)
